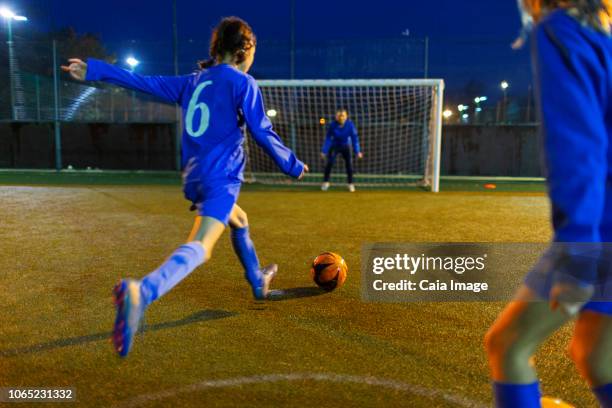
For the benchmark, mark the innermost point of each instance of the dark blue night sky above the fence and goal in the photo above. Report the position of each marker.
(469, 42)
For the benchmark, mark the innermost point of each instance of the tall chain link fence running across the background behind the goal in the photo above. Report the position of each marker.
(51, 121)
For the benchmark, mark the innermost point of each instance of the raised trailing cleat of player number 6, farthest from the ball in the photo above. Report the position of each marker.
(130, 310)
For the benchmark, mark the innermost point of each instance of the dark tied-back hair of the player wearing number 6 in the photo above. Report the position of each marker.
(232, 36)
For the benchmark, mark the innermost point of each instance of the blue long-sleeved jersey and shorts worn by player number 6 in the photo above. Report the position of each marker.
(216, 103)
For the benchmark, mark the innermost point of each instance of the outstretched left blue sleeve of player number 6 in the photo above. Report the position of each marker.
(168, 88)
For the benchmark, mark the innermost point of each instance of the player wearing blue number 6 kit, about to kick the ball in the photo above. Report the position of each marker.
(217, 101)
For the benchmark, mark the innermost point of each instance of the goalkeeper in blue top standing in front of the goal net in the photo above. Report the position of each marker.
(341, 134)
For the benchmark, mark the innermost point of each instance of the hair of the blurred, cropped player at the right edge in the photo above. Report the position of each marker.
(594, 13)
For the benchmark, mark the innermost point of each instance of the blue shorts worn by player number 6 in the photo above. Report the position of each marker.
(214, 199)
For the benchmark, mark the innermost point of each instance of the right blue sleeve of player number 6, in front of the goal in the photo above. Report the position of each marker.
(261, 130)
